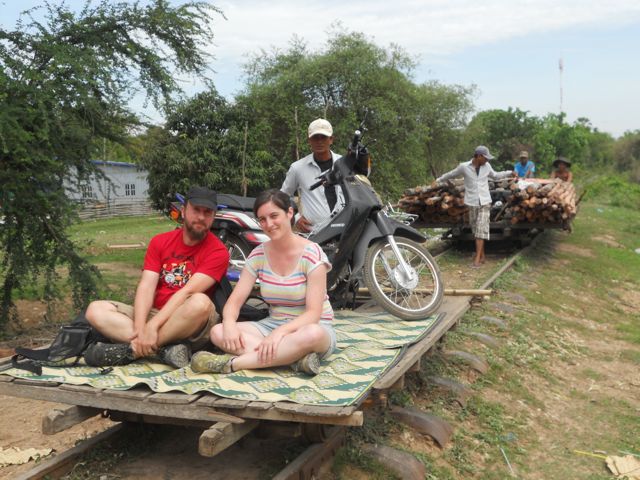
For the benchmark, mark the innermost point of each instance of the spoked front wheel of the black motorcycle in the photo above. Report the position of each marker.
(409, 297)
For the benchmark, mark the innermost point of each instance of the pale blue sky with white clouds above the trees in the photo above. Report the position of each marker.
(508, 49)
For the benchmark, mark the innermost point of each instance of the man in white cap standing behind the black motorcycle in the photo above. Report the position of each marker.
(317, 205)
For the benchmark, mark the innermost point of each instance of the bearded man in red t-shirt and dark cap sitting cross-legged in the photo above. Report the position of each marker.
(172, 312)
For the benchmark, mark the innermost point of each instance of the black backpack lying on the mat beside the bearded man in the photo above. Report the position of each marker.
(65, 350)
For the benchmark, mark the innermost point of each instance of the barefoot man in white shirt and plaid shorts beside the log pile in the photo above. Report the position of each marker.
(476, 173)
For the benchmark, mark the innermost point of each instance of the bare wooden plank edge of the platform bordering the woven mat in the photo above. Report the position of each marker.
(206, 407)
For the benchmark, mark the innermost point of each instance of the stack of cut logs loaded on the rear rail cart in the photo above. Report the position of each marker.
(524, 201)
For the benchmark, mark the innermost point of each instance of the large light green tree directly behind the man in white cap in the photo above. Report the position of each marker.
(412, 124)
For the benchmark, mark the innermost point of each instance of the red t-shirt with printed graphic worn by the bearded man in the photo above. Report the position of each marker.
(176, 262)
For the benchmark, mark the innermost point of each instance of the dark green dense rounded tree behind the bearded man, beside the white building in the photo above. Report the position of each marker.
(202, 143)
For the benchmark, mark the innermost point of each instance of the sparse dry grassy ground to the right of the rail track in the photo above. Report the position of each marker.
(549, 390)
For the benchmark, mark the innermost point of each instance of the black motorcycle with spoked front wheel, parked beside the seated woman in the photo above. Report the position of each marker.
(366, 245)
